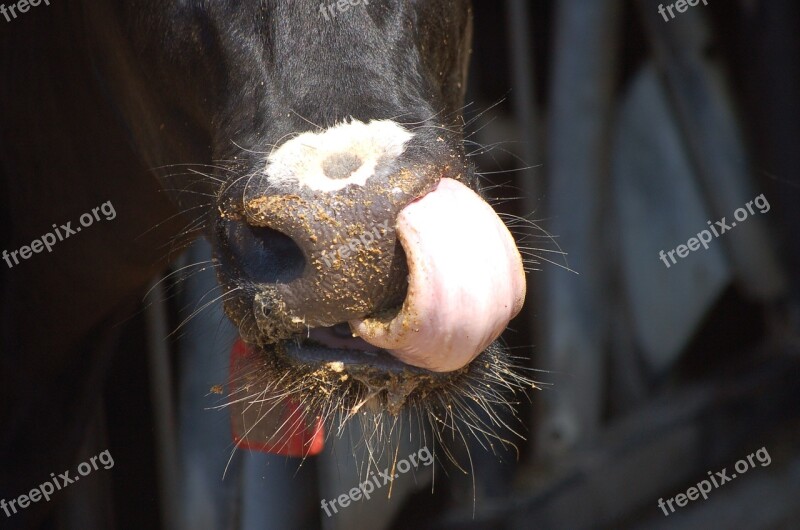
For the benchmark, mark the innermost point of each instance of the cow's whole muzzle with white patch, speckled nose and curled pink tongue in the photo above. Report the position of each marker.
(359, 250)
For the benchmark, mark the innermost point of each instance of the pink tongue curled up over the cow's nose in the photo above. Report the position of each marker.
(465, 282)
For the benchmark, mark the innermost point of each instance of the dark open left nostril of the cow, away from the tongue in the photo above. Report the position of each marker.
(265, 255)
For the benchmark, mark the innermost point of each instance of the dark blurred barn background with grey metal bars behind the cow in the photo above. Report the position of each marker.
(621, 135)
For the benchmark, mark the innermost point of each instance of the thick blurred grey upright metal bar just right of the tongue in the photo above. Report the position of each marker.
(574, 319)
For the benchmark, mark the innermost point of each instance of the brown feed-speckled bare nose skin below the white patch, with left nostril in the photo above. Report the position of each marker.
(333, 257)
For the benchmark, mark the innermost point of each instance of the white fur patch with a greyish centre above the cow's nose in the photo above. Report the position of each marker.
(348, 153)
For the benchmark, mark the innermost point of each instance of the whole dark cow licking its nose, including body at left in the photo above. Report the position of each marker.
(319, 147)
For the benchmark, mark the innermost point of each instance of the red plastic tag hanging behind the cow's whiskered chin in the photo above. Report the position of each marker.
(284, 430)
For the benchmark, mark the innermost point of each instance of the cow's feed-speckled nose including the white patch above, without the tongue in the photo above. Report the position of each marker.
(323, 215)
